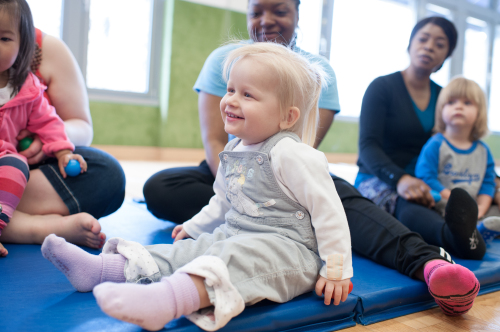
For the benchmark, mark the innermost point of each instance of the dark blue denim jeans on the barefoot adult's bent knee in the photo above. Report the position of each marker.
(100, 191)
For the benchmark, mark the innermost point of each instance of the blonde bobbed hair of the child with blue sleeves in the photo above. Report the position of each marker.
(460, 87)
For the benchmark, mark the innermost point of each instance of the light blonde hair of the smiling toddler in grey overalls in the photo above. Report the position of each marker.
(299, 85)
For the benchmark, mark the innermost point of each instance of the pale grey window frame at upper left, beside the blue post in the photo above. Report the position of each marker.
(74, 31)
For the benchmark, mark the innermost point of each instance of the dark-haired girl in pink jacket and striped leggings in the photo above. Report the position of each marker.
(23, 106)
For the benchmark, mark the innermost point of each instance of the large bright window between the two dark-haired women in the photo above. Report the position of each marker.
(365, 46)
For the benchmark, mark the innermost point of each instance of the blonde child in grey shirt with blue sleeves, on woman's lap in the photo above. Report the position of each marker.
(456, 158)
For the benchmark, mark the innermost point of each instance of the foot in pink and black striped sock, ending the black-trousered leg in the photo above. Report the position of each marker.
(453, 286)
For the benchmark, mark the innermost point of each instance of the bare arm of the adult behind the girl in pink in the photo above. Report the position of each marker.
(67, 90)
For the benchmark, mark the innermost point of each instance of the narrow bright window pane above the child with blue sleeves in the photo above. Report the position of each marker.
(476, 51)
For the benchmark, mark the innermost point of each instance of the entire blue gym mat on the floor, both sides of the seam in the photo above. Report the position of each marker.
(35, 296)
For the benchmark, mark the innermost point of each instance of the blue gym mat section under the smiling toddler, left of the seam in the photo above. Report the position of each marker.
(35, 296)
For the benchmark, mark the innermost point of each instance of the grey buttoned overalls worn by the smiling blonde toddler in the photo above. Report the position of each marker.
(267, 243)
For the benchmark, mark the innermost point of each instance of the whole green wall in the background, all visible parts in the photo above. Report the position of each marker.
(195, 32)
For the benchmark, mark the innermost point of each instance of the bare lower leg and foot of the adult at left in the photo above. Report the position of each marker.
(80, 229)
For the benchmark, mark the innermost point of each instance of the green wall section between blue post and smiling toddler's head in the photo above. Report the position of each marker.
(197, 31)
